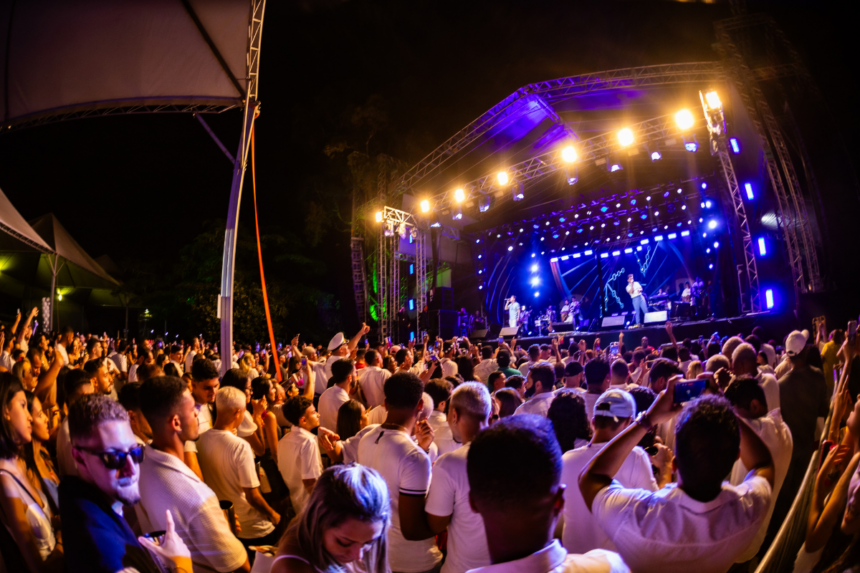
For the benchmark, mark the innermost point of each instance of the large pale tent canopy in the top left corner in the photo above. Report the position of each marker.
(70, 59)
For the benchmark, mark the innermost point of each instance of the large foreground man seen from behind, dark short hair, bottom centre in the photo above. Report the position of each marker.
(514, 472)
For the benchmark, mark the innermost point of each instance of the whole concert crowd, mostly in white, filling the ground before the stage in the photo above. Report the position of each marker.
(443, 455)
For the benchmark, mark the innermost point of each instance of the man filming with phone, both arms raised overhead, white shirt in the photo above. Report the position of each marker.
(699, 523)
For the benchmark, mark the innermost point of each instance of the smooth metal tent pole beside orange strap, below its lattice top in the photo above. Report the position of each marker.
(229, 262)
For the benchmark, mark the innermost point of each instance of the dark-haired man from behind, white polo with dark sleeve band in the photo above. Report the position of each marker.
(405, 467)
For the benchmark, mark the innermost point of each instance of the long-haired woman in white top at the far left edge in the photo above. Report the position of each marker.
(27, 537)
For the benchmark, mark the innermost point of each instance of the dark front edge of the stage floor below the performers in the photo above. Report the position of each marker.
(775, 326)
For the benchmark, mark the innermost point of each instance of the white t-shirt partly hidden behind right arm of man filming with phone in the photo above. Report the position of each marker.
(777, 437)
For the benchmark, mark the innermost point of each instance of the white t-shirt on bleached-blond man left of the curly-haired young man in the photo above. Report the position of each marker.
(227, 463)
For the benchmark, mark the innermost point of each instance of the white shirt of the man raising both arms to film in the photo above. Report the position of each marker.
(667, 531)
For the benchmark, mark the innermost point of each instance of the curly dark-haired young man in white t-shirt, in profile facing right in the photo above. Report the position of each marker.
(299, 458)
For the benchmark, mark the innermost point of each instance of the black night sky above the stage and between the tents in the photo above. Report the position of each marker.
(142, 185)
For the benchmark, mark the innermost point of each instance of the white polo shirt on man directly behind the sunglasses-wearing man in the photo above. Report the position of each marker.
(167, 483)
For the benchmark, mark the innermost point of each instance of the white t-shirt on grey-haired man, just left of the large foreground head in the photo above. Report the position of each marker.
(449, 495)
